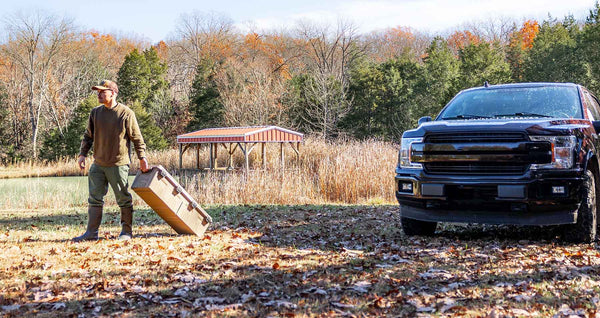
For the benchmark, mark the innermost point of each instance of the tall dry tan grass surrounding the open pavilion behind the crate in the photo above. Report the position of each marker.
(327, 172)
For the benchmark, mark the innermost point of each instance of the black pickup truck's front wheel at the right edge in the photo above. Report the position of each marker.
(584, 231)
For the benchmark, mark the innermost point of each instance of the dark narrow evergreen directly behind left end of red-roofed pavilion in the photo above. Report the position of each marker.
(205, 108)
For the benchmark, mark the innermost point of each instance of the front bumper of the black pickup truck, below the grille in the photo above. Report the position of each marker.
(527, 200)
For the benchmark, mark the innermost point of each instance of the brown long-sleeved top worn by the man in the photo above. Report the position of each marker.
(111, 132)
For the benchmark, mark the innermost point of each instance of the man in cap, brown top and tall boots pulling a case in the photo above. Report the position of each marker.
(111, 128)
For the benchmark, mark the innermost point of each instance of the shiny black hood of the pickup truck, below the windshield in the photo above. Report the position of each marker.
(546, 126)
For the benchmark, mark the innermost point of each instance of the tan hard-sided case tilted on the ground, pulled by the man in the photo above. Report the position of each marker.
(170, 201)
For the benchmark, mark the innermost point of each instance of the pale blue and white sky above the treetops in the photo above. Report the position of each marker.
(155, 20)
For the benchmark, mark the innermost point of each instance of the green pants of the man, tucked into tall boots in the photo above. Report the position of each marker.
(100, 177)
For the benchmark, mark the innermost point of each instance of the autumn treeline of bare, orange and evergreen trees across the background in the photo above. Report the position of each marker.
(323, 80)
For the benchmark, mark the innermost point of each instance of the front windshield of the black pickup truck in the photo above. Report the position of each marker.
(519, 102)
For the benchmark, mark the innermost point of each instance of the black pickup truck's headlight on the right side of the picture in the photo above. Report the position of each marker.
(563, 149)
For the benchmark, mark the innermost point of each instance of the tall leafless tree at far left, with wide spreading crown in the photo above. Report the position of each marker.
(34, 41)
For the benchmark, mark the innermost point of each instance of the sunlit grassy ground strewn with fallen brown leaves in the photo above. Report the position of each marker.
(291, 261)
